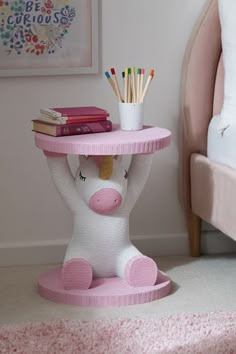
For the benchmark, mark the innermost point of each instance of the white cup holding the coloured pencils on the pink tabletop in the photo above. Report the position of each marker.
(131, 116)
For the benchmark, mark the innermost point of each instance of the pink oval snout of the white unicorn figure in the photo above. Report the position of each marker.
(105, 201)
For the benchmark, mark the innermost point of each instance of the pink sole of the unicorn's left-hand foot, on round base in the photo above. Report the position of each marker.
(77, 274)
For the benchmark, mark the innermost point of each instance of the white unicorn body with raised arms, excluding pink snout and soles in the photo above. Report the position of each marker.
(102, 240)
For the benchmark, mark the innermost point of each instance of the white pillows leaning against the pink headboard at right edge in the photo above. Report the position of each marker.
(222, 128)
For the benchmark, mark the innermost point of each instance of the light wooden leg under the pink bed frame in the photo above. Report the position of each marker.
(194, 234)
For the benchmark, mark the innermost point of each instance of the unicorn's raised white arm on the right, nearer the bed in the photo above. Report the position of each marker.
(139, 170)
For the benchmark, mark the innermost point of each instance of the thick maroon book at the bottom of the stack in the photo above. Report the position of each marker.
(72, 128)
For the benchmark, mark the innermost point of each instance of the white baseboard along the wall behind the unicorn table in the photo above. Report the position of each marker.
(53, 251)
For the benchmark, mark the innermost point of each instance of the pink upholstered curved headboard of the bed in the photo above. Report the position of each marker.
(201, 92)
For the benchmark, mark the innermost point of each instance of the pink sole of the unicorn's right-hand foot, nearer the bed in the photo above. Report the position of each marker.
(141, 271)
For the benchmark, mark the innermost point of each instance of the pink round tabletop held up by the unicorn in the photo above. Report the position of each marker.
(117, 142)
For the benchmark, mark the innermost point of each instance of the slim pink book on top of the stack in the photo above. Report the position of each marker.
(80, 111)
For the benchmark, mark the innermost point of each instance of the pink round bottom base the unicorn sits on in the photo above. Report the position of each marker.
(103, 291)
